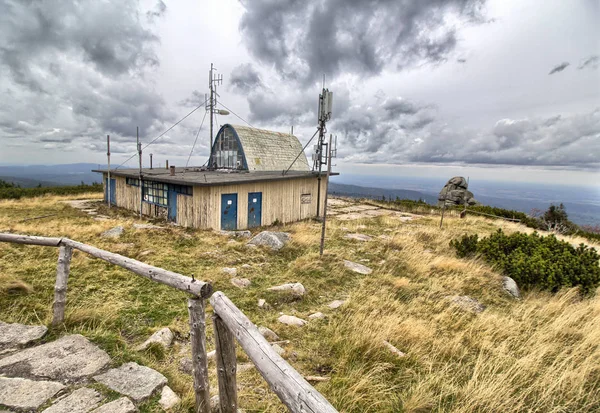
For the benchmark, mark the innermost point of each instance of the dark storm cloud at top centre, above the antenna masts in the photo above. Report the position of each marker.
(305, 39)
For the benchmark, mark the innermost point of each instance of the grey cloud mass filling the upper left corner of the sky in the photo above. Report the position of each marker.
(75, 71)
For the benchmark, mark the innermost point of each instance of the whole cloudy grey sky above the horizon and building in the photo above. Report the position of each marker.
(498, 89)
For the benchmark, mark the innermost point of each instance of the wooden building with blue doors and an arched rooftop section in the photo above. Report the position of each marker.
(243, 187)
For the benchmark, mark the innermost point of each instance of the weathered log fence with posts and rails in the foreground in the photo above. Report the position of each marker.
(229, 322)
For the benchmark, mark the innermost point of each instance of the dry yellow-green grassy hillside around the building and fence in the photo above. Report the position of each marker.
(538, 354)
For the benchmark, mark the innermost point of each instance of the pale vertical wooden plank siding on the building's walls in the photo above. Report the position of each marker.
(281, 200)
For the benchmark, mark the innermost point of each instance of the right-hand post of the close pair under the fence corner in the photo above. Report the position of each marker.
(226, 366)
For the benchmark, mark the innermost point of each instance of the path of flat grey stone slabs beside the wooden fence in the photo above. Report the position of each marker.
(55, 376)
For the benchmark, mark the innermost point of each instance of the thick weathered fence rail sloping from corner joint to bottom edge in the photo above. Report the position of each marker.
(291, 388)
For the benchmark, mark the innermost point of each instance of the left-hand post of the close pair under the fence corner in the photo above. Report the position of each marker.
(199, 359)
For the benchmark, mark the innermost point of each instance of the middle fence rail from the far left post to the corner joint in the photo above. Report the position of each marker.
(172, 279)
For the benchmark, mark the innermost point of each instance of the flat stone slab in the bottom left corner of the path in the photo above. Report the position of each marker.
(18, 393)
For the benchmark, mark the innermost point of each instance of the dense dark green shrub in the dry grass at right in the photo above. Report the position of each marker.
(535, 261)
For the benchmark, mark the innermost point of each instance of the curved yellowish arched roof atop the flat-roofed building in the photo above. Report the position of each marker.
(266, 150)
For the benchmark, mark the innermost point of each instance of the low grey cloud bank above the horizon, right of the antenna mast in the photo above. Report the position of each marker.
(559, 141)
